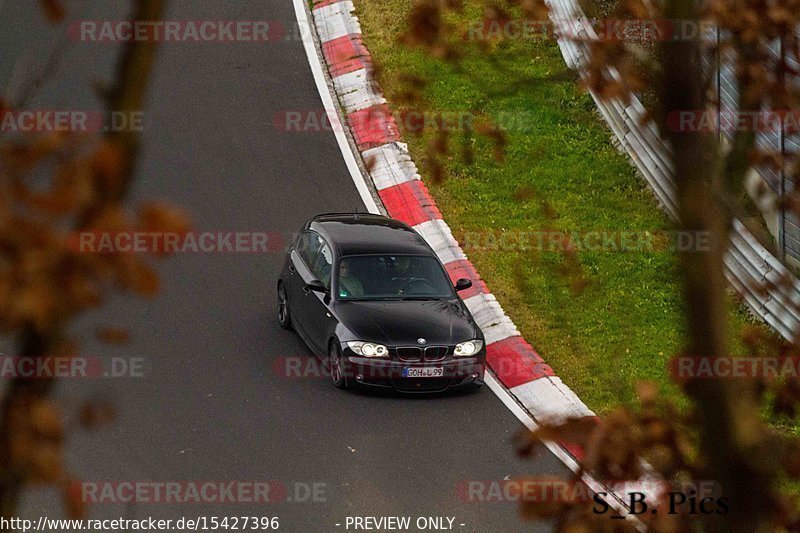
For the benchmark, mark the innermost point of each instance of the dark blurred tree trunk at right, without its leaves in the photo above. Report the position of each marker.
(731, 434)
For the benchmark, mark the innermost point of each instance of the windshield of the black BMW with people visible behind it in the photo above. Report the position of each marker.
(392, 277)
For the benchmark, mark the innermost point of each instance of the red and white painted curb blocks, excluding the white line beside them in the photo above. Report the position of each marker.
(400, 188)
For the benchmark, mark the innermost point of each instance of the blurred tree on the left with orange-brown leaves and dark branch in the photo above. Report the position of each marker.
(44, 283)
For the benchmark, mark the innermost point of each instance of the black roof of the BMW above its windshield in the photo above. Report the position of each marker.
(364, 233)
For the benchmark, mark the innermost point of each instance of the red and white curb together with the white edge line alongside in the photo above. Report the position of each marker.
(527, 385)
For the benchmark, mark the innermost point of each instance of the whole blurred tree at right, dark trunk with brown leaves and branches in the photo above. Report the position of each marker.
(723, 436)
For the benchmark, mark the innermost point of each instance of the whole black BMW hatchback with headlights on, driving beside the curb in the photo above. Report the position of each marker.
(369, 295)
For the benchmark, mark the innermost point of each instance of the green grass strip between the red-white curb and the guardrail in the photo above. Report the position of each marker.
(561, 172)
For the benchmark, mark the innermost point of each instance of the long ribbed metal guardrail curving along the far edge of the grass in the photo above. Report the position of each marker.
(764, 283)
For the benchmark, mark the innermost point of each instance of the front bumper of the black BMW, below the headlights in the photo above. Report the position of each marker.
(387, 373)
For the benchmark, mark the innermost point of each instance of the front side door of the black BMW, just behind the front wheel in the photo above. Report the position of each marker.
(320, 319)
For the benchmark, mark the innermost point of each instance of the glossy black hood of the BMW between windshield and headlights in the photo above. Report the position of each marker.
(401, 323)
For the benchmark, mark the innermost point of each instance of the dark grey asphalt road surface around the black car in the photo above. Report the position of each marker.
(210, 405)
